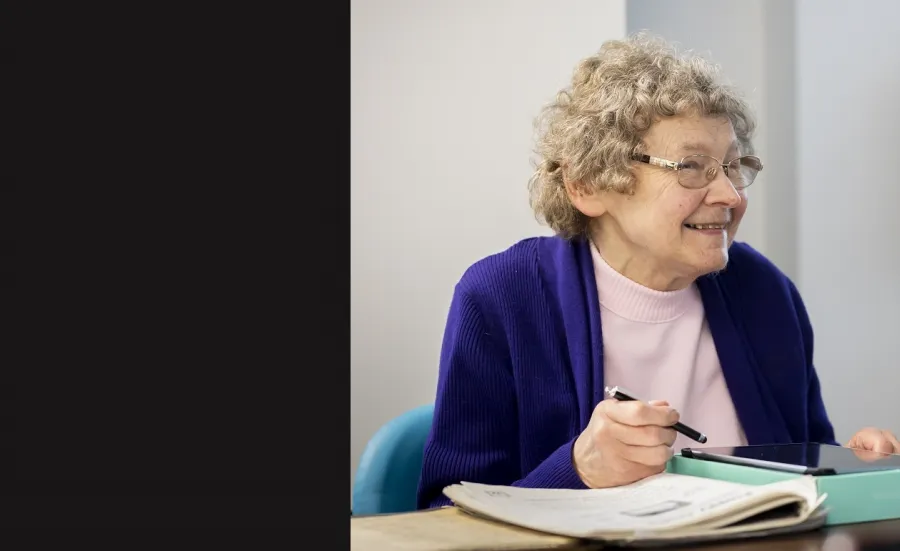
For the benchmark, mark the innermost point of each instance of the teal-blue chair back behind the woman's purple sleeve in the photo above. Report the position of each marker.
(387, 478)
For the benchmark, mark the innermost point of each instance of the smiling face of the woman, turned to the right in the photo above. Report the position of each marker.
(651, 236)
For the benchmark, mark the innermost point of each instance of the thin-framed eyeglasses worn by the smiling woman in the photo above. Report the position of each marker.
(697, 171)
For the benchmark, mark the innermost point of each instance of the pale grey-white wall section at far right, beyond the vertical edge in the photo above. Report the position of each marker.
(848, 61)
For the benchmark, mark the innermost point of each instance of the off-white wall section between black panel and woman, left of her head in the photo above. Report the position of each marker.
(444, 94)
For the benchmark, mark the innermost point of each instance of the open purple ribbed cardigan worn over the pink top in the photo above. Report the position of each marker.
(521, 365)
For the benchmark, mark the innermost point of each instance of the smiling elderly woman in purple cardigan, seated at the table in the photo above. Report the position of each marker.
(646, 159)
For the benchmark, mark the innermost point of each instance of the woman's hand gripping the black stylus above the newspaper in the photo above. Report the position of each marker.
(625, 442)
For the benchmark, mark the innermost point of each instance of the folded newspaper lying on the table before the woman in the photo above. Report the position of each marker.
(666, 506)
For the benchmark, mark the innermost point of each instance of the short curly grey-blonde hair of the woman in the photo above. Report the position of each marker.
(595, 126)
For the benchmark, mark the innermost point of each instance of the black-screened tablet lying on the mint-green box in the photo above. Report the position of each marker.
(813, 459)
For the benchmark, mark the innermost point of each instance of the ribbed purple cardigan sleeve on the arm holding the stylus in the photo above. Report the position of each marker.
(475, 435)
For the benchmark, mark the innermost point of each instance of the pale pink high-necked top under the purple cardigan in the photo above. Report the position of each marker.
(658, 345)
